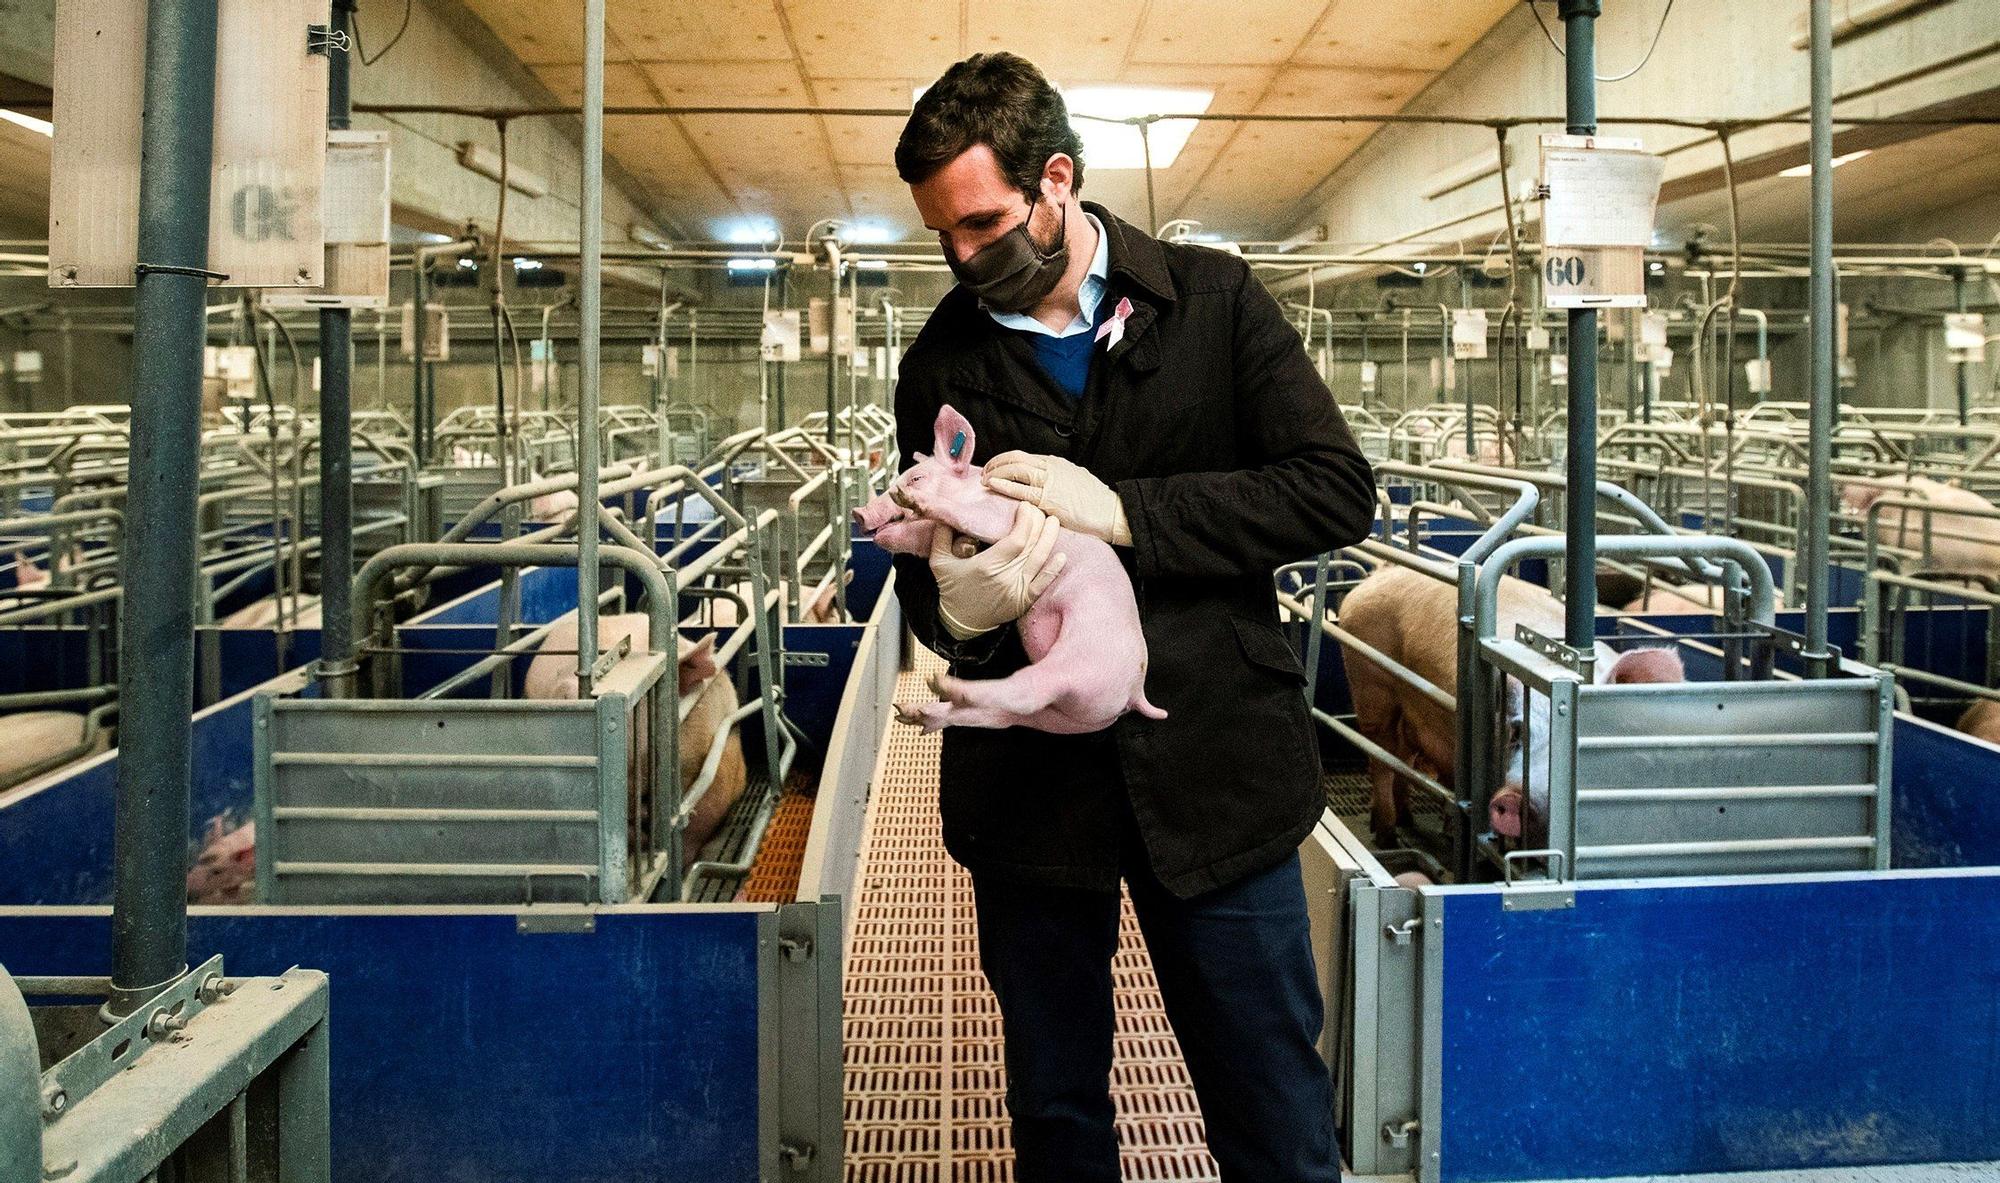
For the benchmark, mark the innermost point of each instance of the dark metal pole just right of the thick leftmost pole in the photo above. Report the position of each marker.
(337, 433)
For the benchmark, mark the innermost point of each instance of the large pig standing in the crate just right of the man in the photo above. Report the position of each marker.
(1415, 620)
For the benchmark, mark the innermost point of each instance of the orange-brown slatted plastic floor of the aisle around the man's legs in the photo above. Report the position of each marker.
(923, 1032)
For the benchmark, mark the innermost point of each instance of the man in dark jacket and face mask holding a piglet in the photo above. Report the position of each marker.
(1155, 397)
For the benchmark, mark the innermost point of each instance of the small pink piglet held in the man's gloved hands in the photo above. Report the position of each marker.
(1083, 636)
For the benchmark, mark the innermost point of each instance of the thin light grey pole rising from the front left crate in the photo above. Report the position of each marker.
(591, 235)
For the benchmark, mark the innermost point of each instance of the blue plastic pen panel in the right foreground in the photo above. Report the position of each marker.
(1805, 1022)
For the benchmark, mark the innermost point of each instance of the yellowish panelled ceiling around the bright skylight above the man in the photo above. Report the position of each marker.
(1365, 57)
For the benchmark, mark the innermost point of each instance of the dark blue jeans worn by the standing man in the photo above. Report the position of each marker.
(1239, 984)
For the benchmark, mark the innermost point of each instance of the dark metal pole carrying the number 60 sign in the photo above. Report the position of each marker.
(1581, 509)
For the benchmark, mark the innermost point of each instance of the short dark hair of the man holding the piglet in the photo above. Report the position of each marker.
(999, 101)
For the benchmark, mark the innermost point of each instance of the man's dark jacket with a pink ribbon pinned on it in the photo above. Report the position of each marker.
(1231, 459)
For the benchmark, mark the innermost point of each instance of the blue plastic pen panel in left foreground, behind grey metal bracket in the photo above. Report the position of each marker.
(465, 1052)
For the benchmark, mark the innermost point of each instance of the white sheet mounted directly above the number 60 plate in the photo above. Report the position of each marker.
(1599, 191)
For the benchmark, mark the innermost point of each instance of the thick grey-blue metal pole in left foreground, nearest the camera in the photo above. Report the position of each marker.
(169, 327)
